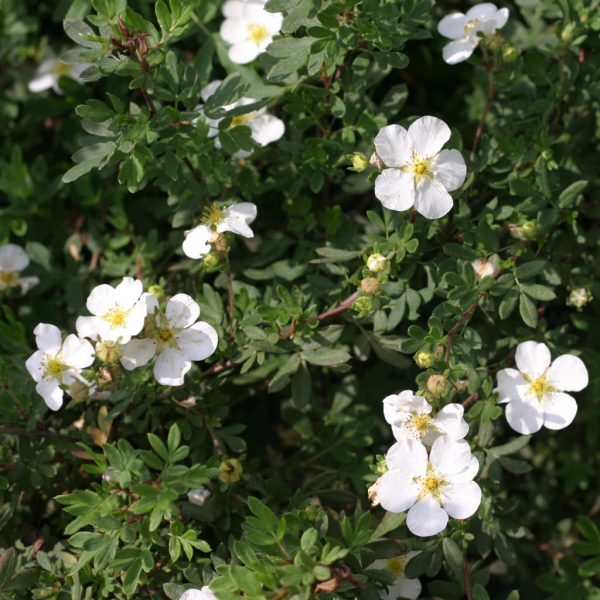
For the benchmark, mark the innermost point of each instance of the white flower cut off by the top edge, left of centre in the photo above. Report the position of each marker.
(249, 28)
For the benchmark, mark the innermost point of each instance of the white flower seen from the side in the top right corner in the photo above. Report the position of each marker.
(463, 29)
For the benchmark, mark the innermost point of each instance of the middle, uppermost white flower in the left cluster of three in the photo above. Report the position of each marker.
(118, 312)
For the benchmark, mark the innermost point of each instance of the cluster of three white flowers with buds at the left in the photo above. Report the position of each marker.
(174, 338)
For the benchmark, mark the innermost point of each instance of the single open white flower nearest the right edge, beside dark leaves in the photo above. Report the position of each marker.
(534, 392)
